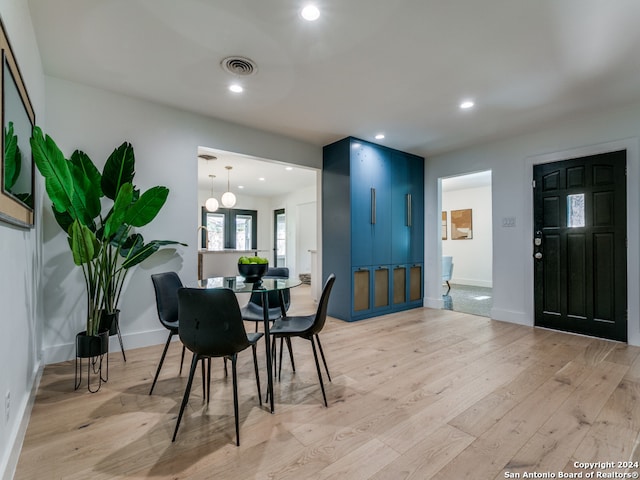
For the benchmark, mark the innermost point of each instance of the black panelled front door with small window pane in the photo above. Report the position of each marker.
(580, 257)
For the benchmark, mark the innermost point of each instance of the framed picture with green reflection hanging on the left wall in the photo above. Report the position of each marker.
(18, 119)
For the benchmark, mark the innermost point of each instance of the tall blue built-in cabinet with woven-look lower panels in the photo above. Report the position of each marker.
(372, 228)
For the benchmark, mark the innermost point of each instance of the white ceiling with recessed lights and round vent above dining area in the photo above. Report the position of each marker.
(366, 66)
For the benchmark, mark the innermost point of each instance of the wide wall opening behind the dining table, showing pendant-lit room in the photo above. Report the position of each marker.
(260, 186)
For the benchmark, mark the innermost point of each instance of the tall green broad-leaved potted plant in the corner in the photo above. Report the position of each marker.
(100, 213)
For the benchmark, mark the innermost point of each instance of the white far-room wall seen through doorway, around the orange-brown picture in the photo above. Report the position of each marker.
(472, 258)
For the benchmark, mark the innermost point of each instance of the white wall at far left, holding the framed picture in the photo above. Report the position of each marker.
(21, 260)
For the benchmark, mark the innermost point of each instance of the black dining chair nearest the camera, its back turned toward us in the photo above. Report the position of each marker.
(211, 326)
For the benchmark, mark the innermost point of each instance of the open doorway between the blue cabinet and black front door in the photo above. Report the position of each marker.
(467, 243)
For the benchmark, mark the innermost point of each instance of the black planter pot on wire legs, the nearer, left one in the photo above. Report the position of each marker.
(94, 348)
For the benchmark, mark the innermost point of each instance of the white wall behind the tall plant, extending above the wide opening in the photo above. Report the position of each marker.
(165, 141)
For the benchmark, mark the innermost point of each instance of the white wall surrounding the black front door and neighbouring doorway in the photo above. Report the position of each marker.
(511, 162)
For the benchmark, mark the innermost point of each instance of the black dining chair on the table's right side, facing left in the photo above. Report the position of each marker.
(307, 327)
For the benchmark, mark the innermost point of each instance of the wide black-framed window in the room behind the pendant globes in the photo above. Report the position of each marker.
(231, 228)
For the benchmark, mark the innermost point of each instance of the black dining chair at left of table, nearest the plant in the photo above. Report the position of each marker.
(166, 286)
